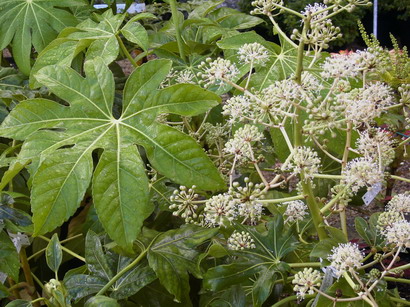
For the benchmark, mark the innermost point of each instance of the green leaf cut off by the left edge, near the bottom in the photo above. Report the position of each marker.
(9, 258)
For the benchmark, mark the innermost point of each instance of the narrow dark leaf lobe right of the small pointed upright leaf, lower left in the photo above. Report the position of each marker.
(96, 261)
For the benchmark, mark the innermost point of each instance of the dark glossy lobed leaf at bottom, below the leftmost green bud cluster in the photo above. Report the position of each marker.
(174, 254)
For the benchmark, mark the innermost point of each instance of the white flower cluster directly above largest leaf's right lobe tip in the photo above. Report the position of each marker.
(217, 71)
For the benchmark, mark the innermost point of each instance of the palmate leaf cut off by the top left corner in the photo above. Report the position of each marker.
(26, 23)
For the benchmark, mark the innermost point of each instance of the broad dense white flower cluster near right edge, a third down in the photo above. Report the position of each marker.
(365, 104)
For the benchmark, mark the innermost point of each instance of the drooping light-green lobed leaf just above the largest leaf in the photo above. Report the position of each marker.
(95, 38)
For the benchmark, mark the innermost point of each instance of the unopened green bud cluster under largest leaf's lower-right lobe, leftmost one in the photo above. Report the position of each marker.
(183, 202)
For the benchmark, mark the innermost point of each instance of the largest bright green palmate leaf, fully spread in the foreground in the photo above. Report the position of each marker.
(60, 140)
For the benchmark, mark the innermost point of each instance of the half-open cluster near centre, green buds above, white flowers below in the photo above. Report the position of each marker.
(248, 200)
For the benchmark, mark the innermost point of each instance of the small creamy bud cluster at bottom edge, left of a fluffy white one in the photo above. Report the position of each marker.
(305, 281)
